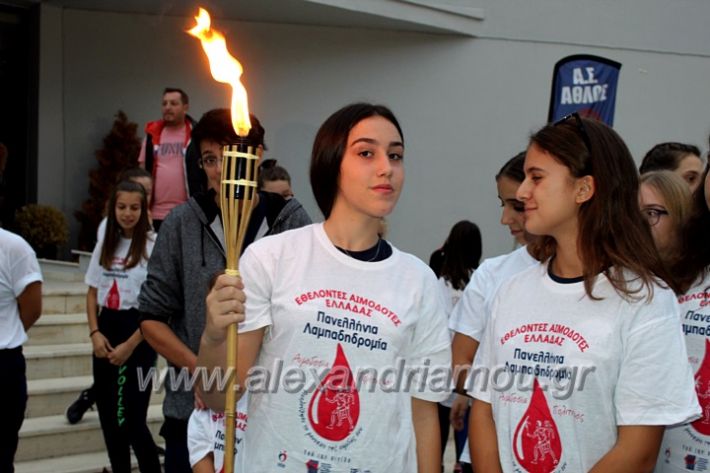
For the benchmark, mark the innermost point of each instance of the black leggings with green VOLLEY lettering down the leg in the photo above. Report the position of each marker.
(122, 403)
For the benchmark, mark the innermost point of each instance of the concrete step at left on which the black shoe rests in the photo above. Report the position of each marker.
(52, 436)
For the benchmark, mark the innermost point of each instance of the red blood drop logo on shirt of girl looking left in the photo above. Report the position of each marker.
(536, 443)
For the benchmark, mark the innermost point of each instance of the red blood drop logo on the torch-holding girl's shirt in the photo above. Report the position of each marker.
(334, 408)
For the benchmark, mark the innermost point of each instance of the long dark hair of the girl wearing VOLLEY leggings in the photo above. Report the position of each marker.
(137, 250)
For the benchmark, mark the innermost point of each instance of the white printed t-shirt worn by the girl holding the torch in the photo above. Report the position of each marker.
(339, 323)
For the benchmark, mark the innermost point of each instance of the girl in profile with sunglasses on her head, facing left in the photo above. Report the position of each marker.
(582, 364)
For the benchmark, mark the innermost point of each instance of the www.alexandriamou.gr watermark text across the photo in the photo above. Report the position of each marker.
(560, 381)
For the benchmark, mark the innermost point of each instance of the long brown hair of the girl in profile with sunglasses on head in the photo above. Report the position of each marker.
(613, 237)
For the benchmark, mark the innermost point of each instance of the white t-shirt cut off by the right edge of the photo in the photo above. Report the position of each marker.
(687, 447)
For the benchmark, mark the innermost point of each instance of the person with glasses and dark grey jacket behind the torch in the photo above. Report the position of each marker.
(188, 254)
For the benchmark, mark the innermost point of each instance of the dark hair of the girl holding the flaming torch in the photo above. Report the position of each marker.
(329, 145)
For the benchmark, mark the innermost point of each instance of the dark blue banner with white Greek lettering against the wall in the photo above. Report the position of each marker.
(584, 84)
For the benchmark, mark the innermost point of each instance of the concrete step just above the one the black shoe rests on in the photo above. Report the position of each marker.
(48, 397)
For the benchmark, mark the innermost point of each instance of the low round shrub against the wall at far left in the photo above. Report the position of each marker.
(44, 227)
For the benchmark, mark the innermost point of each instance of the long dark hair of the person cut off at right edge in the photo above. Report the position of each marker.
(694, 258)
